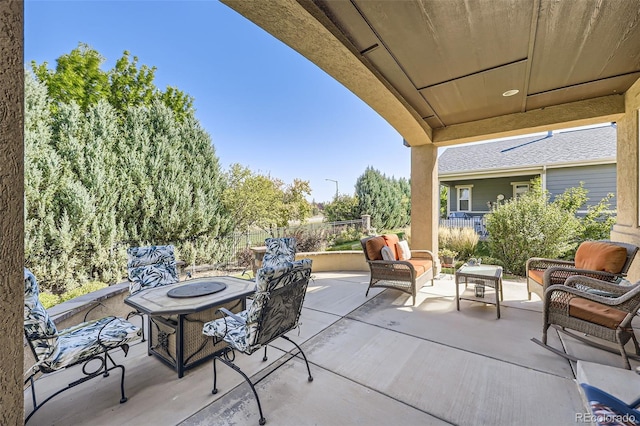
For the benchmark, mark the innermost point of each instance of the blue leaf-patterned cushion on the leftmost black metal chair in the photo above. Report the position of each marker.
(58, 349)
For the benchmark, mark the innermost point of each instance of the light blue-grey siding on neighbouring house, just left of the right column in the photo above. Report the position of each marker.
(599, 180)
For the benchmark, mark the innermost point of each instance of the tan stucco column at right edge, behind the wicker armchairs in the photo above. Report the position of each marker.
(627, 228)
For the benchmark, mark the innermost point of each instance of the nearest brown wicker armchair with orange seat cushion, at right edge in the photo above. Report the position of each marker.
(593, 308)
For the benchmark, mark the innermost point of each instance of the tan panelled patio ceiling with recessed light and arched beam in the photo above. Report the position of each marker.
(448, 63)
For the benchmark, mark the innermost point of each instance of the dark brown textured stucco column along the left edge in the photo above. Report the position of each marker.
(11, 210)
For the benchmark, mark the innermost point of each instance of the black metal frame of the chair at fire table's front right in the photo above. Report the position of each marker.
(294, 291)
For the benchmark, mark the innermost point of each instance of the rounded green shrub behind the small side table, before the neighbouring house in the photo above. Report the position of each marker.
(529, 226)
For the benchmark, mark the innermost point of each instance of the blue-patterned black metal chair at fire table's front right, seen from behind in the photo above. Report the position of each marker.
(275, 310)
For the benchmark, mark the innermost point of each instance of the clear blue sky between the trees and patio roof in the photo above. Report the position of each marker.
(264, 105)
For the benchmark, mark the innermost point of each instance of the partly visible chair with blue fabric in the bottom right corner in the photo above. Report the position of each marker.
(606, 409)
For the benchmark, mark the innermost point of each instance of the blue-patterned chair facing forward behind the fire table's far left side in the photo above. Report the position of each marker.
(149, 267)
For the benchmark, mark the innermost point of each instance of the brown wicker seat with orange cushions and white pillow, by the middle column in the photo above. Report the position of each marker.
(404, 275)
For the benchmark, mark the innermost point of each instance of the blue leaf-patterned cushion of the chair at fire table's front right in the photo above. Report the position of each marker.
(243, 335)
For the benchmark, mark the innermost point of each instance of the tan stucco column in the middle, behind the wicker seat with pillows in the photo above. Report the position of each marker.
(424, 198)
